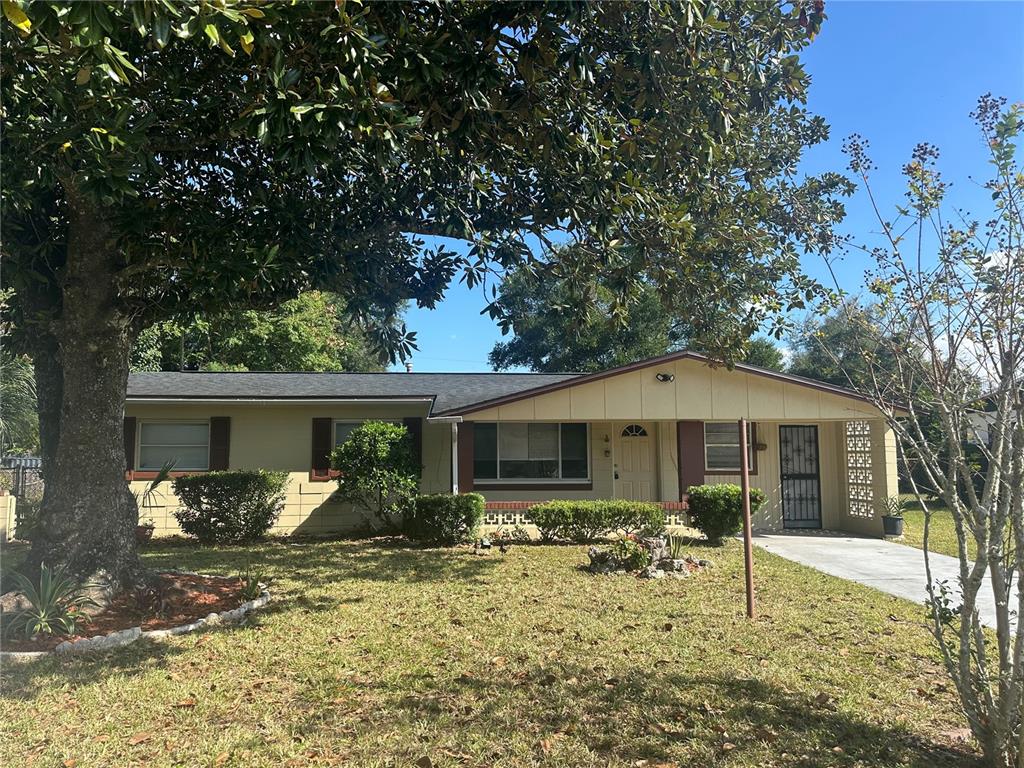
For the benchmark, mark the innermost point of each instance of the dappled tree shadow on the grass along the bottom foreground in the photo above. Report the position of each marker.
(645, 717)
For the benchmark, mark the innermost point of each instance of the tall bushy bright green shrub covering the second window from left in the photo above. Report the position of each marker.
(378, 473)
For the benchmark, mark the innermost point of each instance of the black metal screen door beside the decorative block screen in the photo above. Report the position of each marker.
(801, 478)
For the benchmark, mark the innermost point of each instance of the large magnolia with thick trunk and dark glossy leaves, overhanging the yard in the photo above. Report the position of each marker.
(168, 160)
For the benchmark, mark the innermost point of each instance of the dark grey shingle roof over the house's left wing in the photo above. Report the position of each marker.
(451, 392)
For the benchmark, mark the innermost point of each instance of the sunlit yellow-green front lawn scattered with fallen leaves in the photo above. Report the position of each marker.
(379, 656)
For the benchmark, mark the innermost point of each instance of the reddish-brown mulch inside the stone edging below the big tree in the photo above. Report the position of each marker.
(186, 599)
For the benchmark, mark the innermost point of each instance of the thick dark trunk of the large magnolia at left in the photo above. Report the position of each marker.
(89, 515)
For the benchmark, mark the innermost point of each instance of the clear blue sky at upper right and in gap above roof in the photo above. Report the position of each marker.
(895, 73)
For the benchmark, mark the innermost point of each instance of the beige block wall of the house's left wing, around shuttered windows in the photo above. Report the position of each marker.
(280, 438)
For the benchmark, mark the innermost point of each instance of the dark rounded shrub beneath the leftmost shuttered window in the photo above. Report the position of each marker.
(230, 507)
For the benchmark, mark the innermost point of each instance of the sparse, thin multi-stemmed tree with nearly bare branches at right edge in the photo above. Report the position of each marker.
(948, 349)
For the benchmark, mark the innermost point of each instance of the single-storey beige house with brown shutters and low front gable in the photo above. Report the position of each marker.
(823, 455)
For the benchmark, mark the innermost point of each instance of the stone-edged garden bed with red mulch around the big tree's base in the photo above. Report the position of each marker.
(176, 605)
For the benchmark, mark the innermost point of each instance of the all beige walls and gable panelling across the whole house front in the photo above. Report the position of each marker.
(279, 437)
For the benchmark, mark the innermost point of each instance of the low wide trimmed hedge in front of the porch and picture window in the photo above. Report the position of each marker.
(586, 521)
